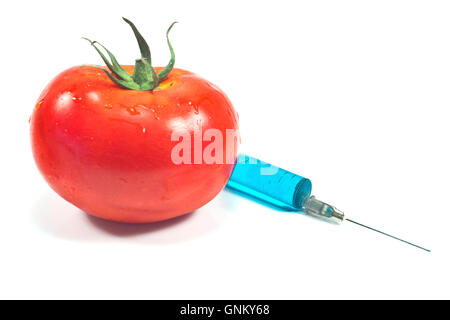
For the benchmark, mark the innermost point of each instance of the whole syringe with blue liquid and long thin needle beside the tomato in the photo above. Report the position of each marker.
(286, 190)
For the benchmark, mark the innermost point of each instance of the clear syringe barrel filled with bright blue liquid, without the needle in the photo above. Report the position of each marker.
(270, 184)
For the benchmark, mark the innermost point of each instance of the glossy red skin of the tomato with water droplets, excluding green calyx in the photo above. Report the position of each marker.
(107, 150)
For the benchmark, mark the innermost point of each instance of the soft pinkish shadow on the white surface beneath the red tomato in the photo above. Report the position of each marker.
(58, 218)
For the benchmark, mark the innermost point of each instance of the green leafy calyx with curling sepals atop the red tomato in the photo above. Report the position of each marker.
(144, 77)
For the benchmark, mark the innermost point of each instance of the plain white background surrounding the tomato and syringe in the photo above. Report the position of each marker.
(352, 94)
